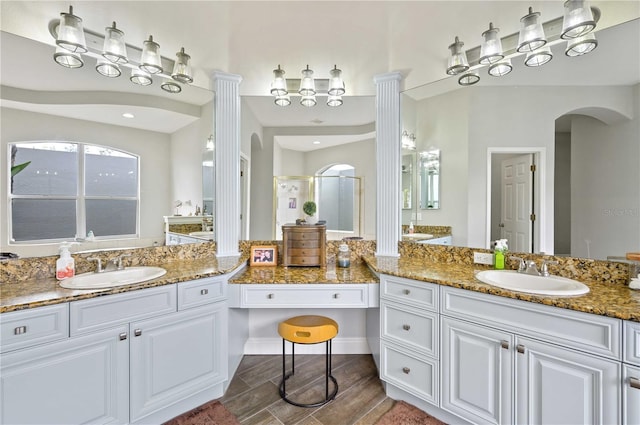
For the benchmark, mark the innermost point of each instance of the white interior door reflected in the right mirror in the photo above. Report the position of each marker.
(517, 202)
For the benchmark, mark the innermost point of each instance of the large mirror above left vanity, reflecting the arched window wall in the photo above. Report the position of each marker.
(168, 131)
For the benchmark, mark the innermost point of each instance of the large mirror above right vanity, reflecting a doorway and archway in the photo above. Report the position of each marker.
(574, 116)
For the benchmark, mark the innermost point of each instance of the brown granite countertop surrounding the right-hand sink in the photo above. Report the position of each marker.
(613, 300)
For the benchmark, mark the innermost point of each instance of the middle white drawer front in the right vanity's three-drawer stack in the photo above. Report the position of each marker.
(410, 327)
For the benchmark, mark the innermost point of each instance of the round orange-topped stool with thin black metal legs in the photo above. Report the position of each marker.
(308, 330)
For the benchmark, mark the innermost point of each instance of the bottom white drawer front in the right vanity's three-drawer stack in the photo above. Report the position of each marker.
(410, 372)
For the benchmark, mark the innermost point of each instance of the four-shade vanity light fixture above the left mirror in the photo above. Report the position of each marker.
(71, 44)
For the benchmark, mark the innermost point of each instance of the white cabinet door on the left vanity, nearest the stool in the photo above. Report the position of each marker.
(175, 357)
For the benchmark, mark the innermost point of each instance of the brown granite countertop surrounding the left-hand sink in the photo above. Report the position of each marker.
(42, 292)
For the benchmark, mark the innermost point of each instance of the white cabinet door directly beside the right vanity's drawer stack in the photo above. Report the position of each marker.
(477, 373)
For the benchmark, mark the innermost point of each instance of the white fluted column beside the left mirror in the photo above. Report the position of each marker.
(227, 152)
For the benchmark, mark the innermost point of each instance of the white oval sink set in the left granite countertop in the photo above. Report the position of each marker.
(111, 279)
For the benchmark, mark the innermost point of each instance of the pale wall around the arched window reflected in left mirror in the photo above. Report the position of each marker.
(155, 165)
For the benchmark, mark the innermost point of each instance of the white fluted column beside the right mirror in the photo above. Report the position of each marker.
(387, 163)
